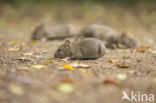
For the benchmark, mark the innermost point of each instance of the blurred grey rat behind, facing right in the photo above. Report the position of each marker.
(112, 37)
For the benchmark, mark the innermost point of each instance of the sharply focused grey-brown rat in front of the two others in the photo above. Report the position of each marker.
(87, 48)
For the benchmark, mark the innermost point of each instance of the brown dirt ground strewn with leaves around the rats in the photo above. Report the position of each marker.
(28, 76)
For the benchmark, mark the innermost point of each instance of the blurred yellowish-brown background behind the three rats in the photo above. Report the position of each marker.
(138, 17)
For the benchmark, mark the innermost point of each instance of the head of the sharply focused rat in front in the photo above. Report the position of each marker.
(64, 50)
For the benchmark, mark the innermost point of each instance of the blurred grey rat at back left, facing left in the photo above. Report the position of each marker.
(59, 31)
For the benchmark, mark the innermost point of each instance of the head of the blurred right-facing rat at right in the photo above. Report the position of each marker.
(127, 41)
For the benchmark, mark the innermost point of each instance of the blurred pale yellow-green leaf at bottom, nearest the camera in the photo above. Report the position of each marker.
(65, 87)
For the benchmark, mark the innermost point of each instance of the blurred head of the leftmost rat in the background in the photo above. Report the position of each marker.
(39, 33)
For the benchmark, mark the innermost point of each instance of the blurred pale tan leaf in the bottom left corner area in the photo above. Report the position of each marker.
(16, 89)
